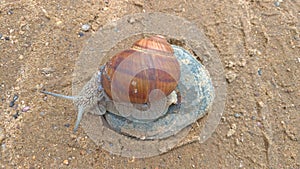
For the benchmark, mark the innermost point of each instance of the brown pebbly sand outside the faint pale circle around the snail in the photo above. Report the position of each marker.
(259, 45)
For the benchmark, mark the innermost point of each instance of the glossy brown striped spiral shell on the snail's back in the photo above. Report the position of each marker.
(154, 53)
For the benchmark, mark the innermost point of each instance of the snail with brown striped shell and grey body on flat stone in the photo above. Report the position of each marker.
(130, 77)
